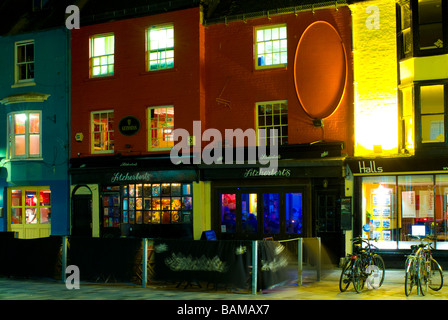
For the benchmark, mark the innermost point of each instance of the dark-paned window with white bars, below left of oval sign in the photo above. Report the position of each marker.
(273, 115)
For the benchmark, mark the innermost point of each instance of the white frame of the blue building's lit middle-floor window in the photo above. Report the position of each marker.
(12, 136)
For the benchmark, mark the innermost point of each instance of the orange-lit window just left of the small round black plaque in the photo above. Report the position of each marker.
(102, 131)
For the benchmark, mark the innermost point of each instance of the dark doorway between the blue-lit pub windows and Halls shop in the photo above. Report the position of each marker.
(327, 224)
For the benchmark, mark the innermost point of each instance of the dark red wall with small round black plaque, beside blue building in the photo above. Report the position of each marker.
(131, 90)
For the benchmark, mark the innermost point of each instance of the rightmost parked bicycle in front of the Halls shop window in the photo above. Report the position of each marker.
(421, 269)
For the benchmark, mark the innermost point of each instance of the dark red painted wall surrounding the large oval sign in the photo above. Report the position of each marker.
(231, 75)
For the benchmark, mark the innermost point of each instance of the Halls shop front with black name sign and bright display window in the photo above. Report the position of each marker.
(399, 199)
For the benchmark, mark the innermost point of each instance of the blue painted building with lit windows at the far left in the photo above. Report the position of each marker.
(34, 118)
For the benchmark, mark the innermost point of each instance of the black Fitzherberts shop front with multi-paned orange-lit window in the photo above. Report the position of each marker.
(132, 197)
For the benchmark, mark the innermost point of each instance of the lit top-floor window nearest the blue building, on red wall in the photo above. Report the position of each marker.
(106, 60)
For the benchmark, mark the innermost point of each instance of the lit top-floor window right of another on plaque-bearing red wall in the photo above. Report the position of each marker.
(162, 52)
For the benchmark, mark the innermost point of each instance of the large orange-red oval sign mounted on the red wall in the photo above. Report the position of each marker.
(320, 70)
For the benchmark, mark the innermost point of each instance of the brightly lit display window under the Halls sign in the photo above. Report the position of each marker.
(396, 207)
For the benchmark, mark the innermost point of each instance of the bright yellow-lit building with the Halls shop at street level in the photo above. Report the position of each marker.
(399, 166)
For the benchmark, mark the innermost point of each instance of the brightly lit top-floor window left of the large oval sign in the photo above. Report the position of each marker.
(270, 47)
